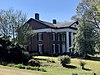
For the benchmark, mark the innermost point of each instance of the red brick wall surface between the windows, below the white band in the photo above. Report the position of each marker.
(47, 42)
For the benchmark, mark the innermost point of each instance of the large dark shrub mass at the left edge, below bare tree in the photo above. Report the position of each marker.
(12, 52)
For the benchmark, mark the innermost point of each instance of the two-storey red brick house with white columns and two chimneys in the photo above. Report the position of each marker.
(50, 38)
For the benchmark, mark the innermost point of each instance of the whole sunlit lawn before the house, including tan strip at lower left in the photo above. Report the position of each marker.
(55, 68)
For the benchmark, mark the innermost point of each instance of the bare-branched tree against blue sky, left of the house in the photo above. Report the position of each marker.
(10, 20)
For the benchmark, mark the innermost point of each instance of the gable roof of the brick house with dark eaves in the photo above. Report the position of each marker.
(54, 26)
